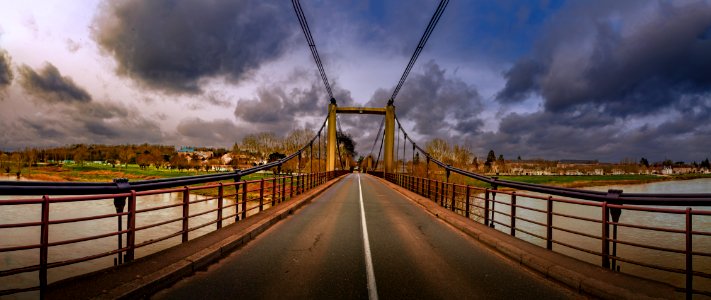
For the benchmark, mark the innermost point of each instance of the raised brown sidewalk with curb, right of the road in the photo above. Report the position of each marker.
(582, 277)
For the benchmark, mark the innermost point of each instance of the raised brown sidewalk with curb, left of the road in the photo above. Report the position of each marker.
(152, 273)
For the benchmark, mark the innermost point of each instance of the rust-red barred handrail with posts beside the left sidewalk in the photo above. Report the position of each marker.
(278, 189)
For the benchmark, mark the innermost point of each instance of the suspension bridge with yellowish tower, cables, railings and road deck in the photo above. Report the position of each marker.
(423, 229)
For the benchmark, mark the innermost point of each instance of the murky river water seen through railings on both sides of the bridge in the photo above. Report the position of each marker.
(31, 213)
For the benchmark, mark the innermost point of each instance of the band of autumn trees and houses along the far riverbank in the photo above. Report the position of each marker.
(265, 147)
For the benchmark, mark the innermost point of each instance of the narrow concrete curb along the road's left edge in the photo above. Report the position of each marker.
(145, 285)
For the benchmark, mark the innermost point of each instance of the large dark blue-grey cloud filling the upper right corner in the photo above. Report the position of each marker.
(612, 57)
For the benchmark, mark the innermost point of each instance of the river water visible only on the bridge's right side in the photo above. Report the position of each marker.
(641, 236)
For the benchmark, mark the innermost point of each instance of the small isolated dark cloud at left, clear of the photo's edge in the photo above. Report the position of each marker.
(49, 85)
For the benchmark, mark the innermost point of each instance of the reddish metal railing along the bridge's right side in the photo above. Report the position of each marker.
(676, 251)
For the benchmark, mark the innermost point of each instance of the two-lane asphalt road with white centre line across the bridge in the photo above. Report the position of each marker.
(320, 253)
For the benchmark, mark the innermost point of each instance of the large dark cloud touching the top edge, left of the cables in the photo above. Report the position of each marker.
(172, 45)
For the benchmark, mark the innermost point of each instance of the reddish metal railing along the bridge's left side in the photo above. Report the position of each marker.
(234, 201)
